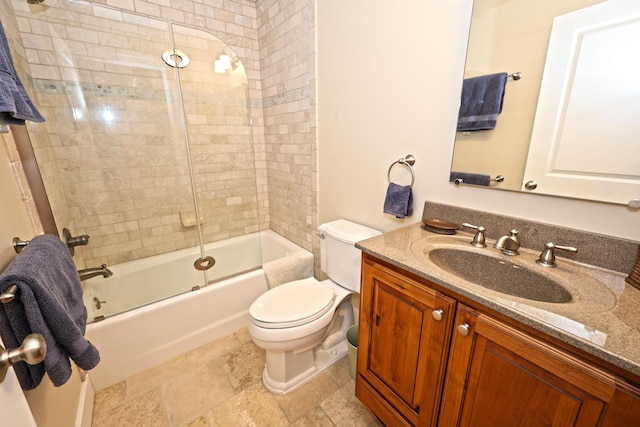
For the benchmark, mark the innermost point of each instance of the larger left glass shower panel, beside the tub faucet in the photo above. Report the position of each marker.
(113, 153)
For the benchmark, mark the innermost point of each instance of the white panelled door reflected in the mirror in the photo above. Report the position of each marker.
(586, 135)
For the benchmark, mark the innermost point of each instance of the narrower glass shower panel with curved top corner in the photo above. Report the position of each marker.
(214, 91)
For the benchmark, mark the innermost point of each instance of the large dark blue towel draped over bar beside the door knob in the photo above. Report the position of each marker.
(49, 302)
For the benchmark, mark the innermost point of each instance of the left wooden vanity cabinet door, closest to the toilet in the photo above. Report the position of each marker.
(402, 346)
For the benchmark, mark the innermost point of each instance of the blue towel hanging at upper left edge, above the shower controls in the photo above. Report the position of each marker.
(15, 104)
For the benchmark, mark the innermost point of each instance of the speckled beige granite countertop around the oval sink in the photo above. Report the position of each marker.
(603, 318)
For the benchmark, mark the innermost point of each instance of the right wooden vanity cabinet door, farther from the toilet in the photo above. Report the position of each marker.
(499, 376)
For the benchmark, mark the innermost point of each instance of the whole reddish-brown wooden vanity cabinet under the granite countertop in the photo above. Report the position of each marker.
(424, 358)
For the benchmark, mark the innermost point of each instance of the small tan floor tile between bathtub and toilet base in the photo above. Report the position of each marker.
(244, 365)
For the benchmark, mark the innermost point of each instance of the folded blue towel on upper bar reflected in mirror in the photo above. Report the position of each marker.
(481, 102)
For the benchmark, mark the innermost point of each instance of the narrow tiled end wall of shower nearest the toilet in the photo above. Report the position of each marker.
(286, 30)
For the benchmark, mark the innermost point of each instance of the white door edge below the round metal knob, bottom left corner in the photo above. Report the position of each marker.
(14, 409)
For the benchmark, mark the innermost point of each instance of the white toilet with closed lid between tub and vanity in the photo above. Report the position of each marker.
(302, 324)
